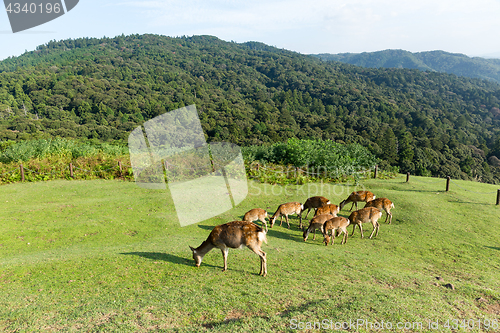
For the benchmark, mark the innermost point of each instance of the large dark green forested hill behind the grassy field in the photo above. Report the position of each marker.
(250, 94)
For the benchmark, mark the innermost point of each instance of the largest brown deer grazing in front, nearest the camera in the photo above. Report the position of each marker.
(235, 235)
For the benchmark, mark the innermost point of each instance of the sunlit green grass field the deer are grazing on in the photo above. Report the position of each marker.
(108, 256)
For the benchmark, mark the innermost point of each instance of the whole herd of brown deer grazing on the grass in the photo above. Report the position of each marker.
(238, 234)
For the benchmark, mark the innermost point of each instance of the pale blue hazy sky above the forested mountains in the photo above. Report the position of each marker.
(308, 27)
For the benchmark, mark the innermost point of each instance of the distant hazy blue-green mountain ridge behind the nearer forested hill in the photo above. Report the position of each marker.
(439, 61)
